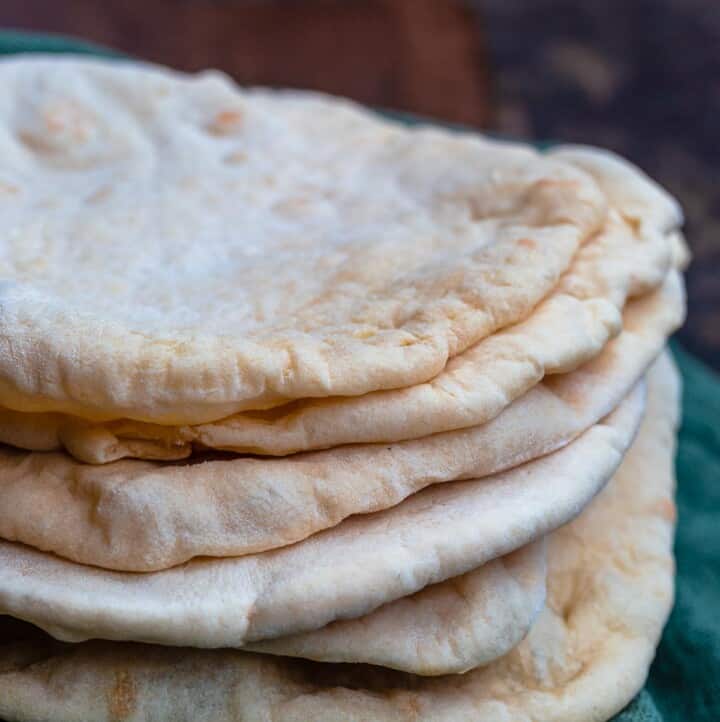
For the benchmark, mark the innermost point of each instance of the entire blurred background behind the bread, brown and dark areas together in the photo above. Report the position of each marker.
(639, 76)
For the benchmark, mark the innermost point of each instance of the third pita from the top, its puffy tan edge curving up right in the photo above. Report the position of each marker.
(143, 516)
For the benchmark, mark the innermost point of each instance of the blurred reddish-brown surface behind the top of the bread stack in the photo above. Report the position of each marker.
(381, 52)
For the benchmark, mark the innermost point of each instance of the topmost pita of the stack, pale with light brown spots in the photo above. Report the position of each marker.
(234, 249)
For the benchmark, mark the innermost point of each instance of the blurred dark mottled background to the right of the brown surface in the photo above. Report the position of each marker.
(641, 78)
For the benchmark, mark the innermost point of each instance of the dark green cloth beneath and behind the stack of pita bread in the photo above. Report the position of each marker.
(684, 682)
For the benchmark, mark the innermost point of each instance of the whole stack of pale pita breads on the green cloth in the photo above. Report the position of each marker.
(308, 415)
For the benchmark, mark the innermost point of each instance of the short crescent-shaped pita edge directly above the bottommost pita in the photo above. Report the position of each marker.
(447, 628)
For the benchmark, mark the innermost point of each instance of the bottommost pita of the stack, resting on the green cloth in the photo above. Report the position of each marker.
(610, 592)
